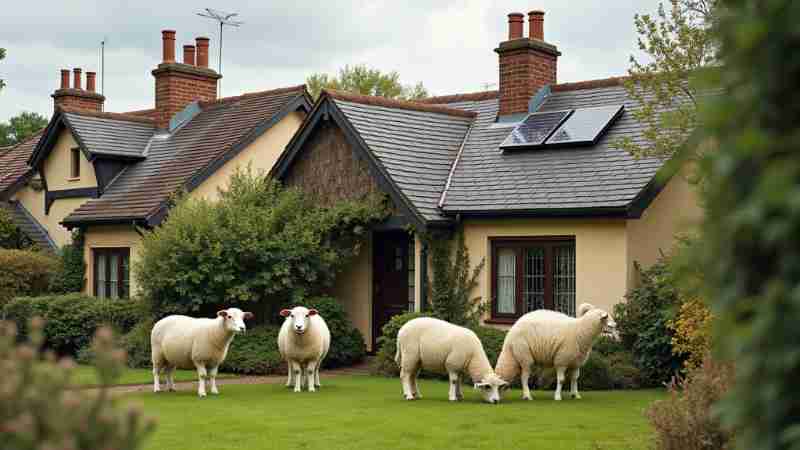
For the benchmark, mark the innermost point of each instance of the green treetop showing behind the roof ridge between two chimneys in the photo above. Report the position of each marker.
(361, 79)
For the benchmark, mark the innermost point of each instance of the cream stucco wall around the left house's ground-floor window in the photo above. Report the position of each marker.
(110, 236)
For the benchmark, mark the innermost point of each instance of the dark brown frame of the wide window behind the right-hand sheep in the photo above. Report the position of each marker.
(517, 244)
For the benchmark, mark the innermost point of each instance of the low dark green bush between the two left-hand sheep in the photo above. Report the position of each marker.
(255, 352)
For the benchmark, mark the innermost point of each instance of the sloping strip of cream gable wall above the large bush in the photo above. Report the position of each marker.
(261, 155)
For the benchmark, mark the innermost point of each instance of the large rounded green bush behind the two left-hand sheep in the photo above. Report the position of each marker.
(259, 244)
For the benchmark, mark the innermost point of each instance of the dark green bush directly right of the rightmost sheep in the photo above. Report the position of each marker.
(643, 321)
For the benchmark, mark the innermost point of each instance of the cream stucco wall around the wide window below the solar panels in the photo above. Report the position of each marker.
(600, 252)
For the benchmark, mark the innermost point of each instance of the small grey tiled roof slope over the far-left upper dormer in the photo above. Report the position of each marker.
(111, 134)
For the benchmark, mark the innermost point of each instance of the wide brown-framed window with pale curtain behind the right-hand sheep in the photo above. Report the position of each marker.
(532, 273)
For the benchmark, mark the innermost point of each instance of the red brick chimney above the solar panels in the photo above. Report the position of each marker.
(526, 63)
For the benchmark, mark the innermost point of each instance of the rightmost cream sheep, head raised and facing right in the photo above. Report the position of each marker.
(551, 339)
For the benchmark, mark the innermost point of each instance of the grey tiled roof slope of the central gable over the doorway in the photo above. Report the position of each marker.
(416, 144)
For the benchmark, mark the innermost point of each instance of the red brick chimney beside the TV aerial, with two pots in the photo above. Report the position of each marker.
(179, 84)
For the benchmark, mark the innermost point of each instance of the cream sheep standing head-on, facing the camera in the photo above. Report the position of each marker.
(304, 341)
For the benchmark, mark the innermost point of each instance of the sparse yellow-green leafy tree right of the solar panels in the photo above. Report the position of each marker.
(679, 44)
